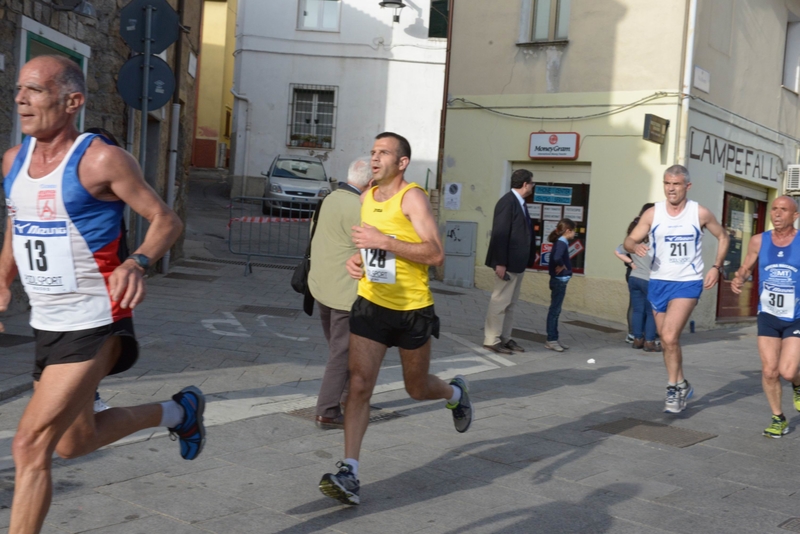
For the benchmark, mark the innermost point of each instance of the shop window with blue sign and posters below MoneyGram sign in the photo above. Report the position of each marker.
(548, 204)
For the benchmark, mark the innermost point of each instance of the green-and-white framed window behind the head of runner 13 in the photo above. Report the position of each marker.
(37, 40)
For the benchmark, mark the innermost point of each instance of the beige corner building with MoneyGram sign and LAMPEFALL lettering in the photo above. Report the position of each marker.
(566, 89)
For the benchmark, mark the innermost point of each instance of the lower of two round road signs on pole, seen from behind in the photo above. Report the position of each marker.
(161, 82)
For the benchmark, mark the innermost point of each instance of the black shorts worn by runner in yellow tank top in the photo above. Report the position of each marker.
(405, 329)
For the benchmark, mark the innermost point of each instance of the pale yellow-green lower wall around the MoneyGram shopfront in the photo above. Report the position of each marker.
(623, 170)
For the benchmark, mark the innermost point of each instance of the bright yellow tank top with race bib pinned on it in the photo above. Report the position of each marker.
(389, 281)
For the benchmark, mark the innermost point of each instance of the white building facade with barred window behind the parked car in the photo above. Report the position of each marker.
(323, 77)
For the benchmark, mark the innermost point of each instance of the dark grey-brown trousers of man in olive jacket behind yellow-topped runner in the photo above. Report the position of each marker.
(336, 326)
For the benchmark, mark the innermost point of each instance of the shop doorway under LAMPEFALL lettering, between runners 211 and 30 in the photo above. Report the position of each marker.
(742, 217)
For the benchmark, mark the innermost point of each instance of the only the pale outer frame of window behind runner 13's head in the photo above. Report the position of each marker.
(32, 31)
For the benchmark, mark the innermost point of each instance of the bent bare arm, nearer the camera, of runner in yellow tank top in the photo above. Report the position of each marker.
(418, 210)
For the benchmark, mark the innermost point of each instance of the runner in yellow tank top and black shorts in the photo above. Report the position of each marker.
(399, 239)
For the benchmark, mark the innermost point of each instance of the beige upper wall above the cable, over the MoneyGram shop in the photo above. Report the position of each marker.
(614, 45)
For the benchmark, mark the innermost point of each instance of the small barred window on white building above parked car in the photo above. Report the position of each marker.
(312, 116)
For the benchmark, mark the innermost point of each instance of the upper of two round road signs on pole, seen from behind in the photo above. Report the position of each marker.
(164, 25)
